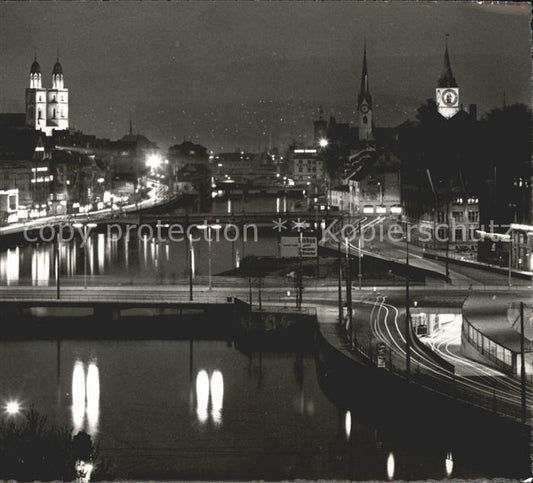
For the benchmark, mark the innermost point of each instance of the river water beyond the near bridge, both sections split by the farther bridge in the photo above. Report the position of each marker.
(139, 257)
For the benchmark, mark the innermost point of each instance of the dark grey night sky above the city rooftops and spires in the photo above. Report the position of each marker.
(237, 75)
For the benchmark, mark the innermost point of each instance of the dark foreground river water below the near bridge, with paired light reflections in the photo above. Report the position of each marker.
(206, 410)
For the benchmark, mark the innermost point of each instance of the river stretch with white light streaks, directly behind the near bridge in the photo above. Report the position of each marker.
(127, 262)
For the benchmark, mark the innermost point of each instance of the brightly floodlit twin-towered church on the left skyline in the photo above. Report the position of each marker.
(47, 109)
